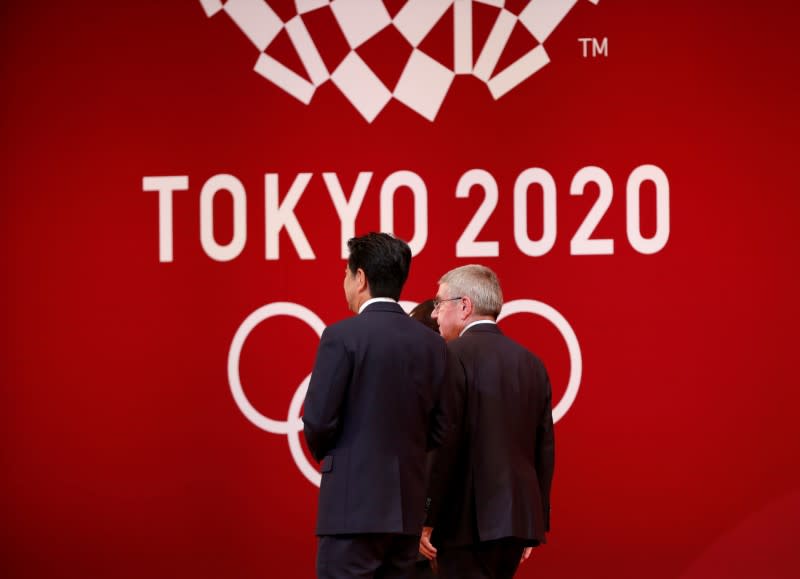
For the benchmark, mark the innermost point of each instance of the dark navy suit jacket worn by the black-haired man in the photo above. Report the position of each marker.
(371, 413)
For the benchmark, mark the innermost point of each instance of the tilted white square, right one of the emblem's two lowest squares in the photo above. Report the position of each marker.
(423, 84)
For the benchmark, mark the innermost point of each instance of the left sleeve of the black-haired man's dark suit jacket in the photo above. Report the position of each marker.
(326, 393)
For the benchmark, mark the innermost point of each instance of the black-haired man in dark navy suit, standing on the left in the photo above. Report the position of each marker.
(371, 413)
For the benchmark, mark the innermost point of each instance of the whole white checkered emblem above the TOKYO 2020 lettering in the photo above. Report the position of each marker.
(424, 82)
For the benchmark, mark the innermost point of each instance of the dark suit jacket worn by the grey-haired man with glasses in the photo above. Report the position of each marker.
(493, 479)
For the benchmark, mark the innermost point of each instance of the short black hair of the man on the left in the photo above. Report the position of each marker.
(385, 260)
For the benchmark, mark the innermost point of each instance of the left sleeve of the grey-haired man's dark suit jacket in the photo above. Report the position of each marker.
(442, 460)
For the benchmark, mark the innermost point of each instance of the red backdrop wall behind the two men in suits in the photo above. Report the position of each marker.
(124, 450)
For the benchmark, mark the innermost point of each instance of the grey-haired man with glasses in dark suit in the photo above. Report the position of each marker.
(489, 491)
